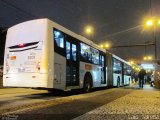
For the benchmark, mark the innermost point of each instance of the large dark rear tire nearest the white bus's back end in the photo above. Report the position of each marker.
(87, 83)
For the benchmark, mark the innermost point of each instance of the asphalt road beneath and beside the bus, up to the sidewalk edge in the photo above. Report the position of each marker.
(32, 104)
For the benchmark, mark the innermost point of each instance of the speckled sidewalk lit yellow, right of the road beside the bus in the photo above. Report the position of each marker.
(141, 104)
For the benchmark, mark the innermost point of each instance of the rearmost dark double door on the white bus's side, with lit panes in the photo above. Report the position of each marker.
(72, 62)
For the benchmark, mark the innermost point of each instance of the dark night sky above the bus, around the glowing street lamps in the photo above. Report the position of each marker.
(115, 21)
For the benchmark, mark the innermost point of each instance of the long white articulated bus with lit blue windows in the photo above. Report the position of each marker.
(43, 54)
